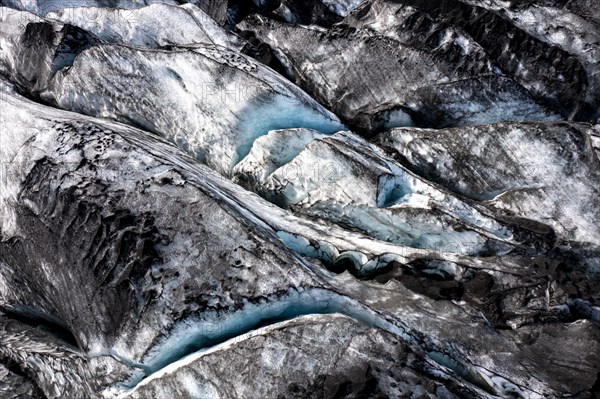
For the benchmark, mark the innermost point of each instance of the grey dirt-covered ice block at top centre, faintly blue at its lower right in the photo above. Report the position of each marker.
(375, 82)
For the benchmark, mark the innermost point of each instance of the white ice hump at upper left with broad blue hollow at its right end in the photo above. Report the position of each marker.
(210, 101)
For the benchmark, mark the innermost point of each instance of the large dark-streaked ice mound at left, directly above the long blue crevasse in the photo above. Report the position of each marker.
(156, 251)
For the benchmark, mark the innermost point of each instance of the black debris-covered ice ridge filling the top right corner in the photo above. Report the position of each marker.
(536, 53)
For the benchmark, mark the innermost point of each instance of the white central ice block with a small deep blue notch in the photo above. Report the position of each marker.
(346, 180)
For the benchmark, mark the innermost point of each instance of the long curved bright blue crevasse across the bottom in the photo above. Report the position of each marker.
(191, 336)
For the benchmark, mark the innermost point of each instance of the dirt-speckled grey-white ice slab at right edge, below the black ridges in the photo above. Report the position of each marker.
(547, 172)
